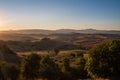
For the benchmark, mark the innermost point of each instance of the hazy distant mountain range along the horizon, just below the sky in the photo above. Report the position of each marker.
(64, 31)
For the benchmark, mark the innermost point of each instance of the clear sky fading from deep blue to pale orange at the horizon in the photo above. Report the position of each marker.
(60, 14)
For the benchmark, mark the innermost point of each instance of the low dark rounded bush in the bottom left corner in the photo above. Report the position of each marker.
(9, 71)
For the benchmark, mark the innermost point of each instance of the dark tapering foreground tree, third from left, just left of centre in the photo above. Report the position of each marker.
(48, 69)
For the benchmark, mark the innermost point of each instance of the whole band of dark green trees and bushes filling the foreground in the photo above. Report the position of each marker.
(103, 61)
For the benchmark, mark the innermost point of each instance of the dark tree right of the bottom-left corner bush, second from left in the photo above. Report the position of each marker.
(30, 67)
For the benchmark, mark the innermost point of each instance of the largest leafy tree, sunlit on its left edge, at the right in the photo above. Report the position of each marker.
(104, 60)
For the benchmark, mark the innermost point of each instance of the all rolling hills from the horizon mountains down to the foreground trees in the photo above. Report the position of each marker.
(64, 39)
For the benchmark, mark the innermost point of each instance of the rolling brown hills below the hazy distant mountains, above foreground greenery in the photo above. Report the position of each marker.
(37, 42)
